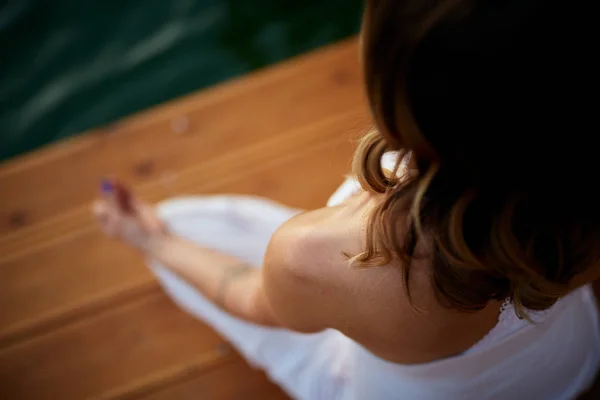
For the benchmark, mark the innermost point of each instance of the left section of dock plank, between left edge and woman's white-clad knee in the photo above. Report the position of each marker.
(50, 288)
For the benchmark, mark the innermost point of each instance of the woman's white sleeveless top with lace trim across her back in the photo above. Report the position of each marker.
(556, 358)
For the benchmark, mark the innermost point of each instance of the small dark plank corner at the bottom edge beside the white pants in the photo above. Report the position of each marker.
(234, 380)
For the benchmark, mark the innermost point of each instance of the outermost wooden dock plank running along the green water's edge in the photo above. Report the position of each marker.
(145, 147)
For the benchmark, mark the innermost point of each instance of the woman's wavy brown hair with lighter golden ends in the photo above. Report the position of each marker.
(502, 190)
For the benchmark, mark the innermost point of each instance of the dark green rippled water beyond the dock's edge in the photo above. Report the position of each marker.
(70, 65)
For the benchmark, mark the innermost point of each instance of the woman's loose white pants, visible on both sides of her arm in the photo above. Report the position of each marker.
(307, 366)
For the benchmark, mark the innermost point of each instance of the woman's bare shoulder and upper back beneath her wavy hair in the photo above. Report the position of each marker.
(310, 286)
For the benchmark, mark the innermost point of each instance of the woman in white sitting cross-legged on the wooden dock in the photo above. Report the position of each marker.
(459, 269)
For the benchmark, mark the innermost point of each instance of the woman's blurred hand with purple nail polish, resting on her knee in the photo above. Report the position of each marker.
(122, 216)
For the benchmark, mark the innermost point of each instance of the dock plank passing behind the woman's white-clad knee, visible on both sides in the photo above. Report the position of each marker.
(86, 271)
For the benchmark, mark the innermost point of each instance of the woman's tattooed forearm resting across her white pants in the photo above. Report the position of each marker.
(225, 280)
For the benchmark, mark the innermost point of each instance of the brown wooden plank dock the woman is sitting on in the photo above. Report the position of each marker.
(80, 316)
